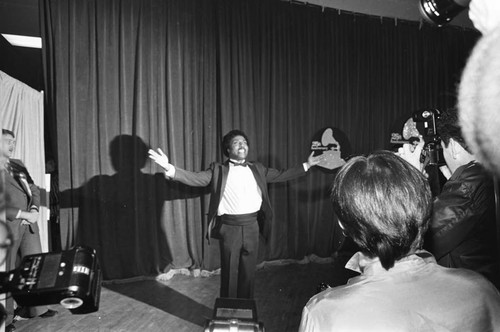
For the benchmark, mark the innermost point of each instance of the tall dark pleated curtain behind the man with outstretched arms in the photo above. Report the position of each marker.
(128, 75)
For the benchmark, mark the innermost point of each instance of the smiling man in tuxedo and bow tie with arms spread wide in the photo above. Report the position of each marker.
(239, 207)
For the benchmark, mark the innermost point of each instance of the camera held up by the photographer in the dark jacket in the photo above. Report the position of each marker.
(422, 122)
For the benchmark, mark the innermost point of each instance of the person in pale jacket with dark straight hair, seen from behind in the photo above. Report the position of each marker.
(384, 204)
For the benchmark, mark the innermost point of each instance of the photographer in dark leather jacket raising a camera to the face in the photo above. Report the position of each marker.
(462, 232)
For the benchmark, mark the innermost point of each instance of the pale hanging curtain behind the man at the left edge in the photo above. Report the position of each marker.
(21, 111)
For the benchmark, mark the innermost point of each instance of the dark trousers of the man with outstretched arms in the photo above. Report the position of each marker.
(239, 244)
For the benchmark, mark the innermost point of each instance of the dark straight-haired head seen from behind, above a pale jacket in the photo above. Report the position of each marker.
(384, 205)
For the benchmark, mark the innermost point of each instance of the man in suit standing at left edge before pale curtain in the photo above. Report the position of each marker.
(22, 212)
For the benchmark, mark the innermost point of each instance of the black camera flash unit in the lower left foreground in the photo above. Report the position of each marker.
(71, 278)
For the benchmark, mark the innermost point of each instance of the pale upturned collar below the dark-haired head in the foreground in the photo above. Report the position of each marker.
(367, 266)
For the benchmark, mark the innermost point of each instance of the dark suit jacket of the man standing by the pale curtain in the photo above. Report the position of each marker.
(21, 192)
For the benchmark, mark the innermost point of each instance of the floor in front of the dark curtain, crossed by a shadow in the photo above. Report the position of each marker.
(183, 303)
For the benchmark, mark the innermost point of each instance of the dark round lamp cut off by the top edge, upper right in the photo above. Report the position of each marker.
(440, 12)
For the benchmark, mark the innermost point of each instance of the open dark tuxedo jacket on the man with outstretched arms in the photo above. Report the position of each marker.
(216, 176)
